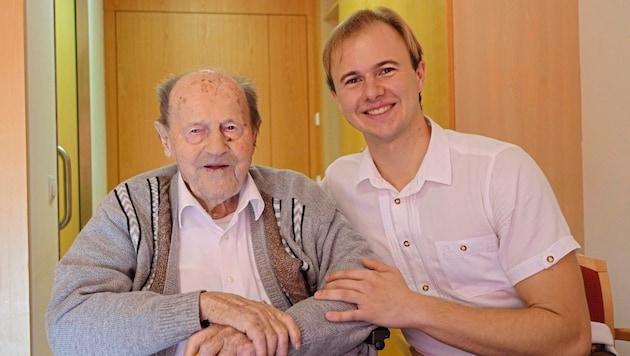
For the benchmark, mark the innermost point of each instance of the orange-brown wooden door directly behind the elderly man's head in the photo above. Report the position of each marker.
(269, 43)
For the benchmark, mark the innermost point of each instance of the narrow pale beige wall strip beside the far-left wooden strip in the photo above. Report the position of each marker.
(42, 166)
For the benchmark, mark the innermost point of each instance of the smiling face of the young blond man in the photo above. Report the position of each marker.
(376, 86)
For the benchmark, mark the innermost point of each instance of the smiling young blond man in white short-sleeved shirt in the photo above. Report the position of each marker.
(478, 257)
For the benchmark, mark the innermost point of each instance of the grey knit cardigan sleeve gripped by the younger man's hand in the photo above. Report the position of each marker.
(319, 235)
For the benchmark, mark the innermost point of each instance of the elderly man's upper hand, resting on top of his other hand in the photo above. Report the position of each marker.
(269, 329)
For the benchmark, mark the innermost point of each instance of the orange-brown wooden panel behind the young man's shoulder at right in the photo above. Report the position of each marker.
(517, 78)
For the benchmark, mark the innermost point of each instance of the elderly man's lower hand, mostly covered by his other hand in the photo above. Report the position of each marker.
(219, 340)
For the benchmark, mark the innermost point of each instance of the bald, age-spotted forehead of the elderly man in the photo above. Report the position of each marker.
(206, 86)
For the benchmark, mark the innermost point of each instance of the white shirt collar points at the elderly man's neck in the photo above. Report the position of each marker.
(248, 194)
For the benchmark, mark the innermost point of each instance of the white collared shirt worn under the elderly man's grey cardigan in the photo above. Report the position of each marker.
(218, 255)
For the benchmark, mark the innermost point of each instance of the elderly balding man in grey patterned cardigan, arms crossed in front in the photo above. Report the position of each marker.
(211, 254)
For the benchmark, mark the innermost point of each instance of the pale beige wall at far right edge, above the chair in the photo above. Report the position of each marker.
(605, 76)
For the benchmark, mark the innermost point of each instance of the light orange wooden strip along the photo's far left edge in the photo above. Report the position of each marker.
(14, 309)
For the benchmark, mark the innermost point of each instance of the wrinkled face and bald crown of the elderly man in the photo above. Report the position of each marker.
(210, 136)
